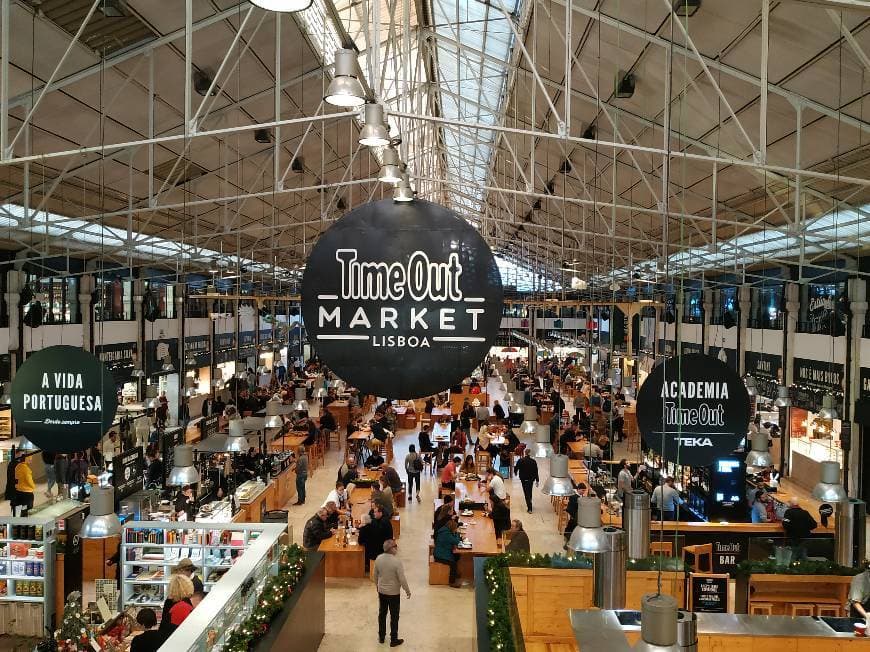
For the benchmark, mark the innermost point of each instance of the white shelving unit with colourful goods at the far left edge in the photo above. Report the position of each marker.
(27, 551)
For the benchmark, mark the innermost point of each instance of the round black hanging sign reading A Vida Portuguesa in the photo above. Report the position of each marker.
(63, 399)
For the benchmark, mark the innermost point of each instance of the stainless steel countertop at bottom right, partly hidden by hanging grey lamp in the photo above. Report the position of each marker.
(606, 628)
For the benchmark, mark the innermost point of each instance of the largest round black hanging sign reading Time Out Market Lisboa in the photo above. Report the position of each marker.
(401, 300)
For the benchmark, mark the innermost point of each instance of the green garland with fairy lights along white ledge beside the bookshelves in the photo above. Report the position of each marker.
(270, 602)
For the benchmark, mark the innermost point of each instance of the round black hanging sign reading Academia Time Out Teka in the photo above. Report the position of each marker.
(693, 409)
